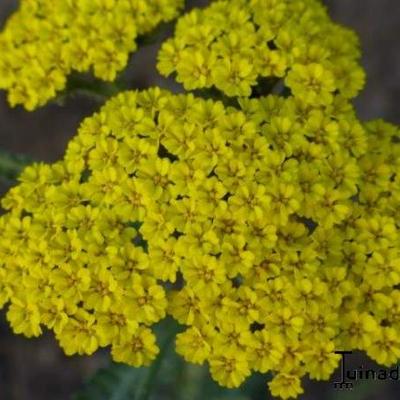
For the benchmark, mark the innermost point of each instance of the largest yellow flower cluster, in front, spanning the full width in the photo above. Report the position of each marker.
(270, 231)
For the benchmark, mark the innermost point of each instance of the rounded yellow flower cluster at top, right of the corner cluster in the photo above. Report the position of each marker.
(239, 46)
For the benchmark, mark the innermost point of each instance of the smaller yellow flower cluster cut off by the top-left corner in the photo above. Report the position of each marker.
(44, 41)
